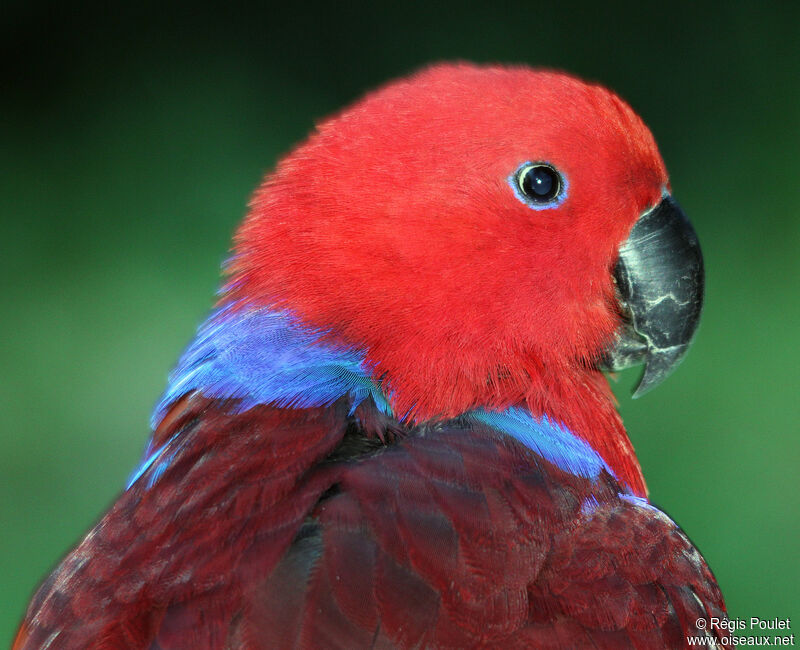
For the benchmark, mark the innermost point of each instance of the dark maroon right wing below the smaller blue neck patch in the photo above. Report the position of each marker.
(462, 539)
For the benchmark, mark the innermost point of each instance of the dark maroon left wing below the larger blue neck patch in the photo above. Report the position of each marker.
(169, 564)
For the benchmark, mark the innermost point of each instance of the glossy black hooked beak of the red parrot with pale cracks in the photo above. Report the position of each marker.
(660, 281)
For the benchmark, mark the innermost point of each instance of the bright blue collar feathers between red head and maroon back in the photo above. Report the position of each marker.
(262, 356)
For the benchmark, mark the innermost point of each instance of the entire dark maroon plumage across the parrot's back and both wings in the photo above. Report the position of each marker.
(292, 529)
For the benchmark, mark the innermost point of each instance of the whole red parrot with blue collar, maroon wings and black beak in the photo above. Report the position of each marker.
(395, 428)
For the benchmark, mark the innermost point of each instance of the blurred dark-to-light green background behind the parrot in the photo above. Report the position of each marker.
(131, 139)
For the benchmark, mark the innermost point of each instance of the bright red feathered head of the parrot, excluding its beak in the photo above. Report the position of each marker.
(462, 227)
